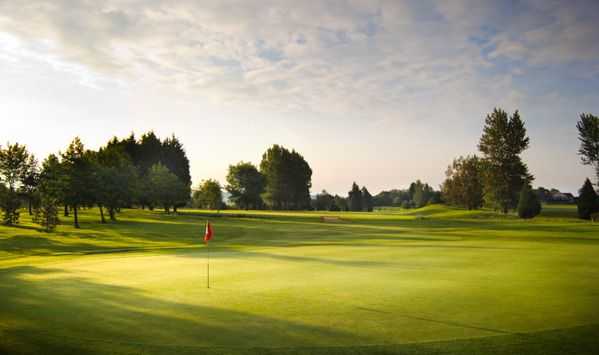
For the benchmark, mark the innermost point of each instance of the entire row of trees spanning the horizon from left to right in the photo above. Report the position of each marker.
(152, 173)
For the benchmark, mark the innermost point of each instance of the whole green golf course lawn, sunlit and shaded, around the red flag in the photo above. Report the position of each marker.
(433, 280)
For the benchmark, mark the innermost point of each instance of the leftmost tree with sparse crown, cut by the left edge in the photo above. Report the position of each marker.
(15, 164)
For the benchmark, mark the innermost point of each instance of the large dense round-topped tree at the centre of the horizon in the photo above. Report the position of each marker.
(288, 179)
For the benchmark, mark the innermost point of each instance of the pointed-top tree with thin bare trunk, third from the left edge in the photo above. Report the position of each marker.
(79, 178)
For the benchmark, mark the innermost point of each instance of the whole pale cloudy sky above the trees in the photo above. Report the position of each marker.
(377, 92)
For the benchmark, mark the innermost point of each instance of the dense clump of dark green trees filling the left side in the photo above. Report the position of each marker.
(146, 172)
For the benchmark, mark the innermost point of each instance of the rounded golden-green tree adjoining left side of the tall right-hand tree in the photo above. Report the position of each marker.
(463, 185)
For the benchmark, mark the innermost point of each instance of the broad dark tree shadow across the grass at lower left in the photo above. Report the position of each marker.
(51, 311)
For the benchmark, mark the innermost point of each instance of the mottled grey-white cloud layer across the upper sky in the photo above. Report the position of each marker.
(341, 57)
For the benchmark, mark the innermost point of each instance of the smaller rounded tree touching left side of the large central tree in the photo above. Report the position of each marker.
(245, 184)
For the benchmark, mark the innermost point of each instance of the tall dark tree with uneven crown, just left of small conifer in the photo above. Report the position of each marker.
(502, 142)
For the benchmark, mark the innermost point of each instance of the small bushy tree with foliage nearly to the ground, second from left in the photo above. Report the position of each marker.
(51, 188)
